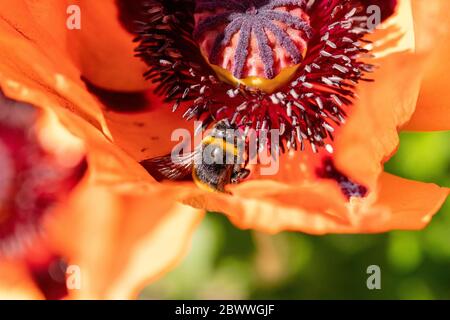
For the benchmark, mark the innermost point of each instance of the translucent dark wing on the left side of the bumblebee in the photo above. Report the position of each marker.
(166, 168)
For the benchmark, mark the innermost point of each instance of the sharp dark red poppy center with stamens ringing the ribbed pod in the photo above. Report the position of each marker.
(188, 44)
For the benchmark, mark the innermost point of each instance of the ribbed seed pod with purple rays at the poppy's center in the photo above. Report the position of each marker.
(255, 43)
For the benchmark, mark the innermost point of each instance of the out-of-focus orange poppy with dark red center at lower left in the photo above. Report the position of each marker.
(63, 232)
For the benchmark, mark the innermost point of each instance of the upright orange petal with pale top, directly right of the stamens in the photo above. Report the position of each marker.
(370, 135)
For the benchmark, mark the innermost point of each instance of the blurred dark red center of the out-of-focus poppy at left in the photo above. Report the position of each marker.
(31, 179)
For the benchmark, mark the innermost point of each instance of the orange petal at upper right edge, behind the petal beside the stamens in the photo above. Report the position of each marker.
(432, 29)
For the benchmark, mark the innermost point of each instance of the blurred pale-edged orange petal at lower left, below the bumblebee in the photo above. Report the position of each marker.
(124, 244)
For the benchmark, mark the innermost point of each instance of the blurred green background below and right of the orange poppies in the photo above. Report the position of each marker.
(227, 263)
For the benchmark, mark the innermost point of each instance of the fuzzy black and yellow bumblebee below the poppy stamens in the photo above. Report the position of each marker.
(215, 163)
